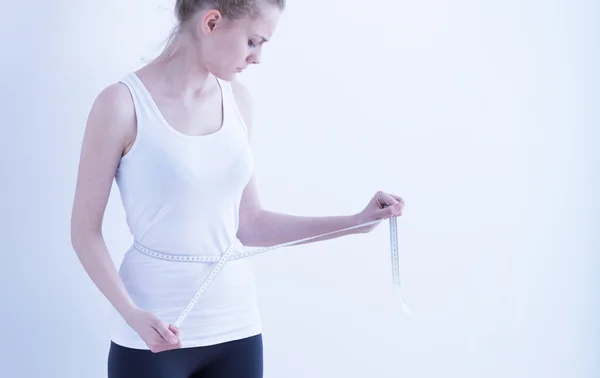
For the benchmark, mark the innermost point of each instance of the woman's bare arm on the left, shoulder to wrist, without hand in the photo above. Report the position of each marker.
(110, 128)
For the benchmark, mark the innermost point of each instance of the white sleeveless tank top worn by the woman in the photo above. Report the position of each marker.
(181, 195)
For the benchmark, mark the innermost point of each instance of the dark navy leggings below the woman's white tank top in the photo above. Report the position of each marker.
(235, 359)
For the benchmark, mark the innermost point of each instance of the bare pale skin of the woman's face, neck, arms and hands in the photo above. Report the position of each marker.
(188, 96)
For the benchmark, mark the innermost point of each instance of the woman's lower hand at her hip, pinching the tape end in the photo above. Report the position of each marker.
(157, 336)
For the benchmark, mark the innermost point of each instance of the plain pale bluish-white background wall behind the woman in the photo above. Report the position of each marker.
(483, 115)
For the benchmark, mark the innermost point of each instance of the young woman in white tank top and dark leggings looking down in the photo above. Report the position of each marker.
(175, 137)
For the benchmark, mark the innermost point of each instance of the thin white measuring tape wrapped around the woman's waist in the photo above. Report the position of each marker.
(230, 255)
